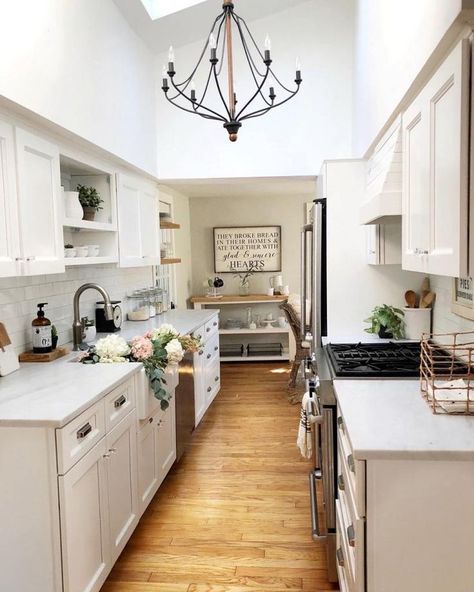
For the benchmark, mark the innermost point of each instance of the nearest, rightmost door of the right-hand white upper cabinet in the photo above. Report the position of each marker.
(447, 95)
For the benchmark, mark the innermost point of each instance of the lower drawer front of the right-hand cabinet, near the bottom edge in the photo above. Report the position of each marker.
(351, 533)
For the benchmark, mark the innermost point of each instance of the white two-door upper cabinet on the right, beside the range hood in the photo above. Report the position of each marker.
(435, 172)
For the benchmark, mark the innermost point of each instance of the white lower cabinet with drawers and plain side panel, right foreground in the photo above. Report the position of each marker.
(403, 523)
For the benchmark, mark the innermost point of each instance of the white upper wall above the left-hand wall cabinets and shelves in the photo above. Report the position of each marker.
(78, 64)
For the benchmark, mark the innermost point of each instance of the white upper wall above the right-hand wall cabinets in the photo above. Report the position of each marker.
(394, 39)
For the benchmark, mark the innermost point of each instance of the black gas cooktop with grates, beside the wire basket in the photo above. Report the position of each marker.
(375, 359)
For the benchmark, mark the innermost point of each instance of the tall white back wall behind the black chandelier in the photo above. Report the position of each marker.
(292, 140)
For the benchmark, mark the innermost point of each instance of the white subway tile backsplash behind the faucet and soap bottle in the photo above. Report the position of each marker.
(20, 295)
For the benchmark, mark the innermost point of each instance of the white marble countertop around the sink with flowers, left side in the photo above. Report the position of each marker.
(52, 394)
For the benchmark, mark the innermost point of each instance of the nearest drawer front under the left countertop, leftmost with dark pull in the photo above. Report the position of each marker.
(79, 436)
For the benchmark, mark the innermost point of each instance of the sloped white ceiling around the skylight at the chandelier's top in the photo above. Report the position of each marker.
(189, 24)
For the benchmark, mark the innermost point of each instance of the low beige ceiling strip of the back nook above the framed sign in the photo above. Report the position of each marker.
(248, 187)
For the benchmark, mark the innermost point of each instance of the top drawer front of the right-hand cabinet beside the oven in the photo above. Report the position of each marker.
(355, 469)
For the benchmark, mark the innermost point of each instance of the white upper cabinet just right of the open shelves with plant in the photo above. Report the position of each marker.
(138, 215)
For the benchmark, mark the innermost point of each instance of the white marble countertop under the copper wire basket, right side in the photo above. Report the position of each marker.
(390, 419)
